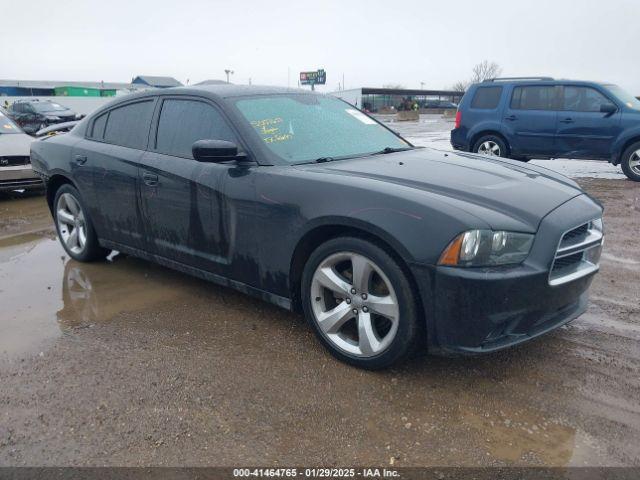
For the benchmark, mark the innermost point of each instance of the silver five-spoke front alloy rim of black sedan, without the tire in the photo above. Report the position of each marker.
(354, 304)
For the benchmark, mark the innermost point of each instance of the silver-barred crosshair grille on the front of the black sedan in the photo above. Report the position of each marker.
(578, 253)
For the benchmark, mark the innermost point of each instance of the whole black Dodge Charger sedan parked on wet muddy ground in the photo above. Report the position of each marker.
(306, 202)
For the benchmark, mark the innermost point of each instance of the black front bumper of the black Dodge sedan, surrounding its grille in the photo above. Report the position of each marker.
(481, 310)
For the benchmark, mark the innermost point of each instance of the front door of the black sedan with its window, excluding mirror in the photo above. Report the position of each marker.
(183, 200)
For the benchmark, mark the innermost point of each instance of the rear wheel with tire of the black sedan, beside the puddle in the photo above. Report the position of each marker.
(73, 224)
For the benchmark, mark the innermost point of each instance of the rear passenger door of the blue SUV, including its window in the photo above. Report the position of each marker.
(530, 119)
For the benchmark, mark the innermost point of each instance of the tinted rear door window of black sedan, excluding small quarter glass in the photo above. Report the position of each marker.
(128, 126)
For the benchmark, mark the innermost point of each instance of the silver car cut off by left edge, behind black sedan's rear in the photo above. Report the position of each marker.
(15, 166)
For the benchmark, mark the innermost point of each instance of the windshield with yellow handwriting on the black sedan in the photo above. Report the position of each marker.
(304, 128)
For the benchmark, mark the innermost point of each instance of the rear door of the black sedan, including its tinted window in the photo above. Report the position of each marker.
(107, 164)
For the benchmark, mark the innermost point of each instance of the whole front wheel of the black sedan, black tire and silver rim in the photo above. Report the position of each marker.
(384, 331)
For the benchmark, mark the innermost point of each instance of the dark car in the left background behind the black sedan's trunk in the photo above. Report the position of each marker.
(34, 115)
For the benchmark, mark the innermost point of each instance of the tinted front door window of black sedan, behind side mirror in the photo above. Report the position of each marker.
(183, 122)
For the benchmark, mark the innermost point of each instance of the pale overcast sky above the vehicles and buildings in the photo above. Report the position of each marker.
(368, 43)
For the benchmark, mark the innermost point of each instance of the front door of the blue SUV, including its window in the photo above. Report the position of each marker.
(583, 131)
